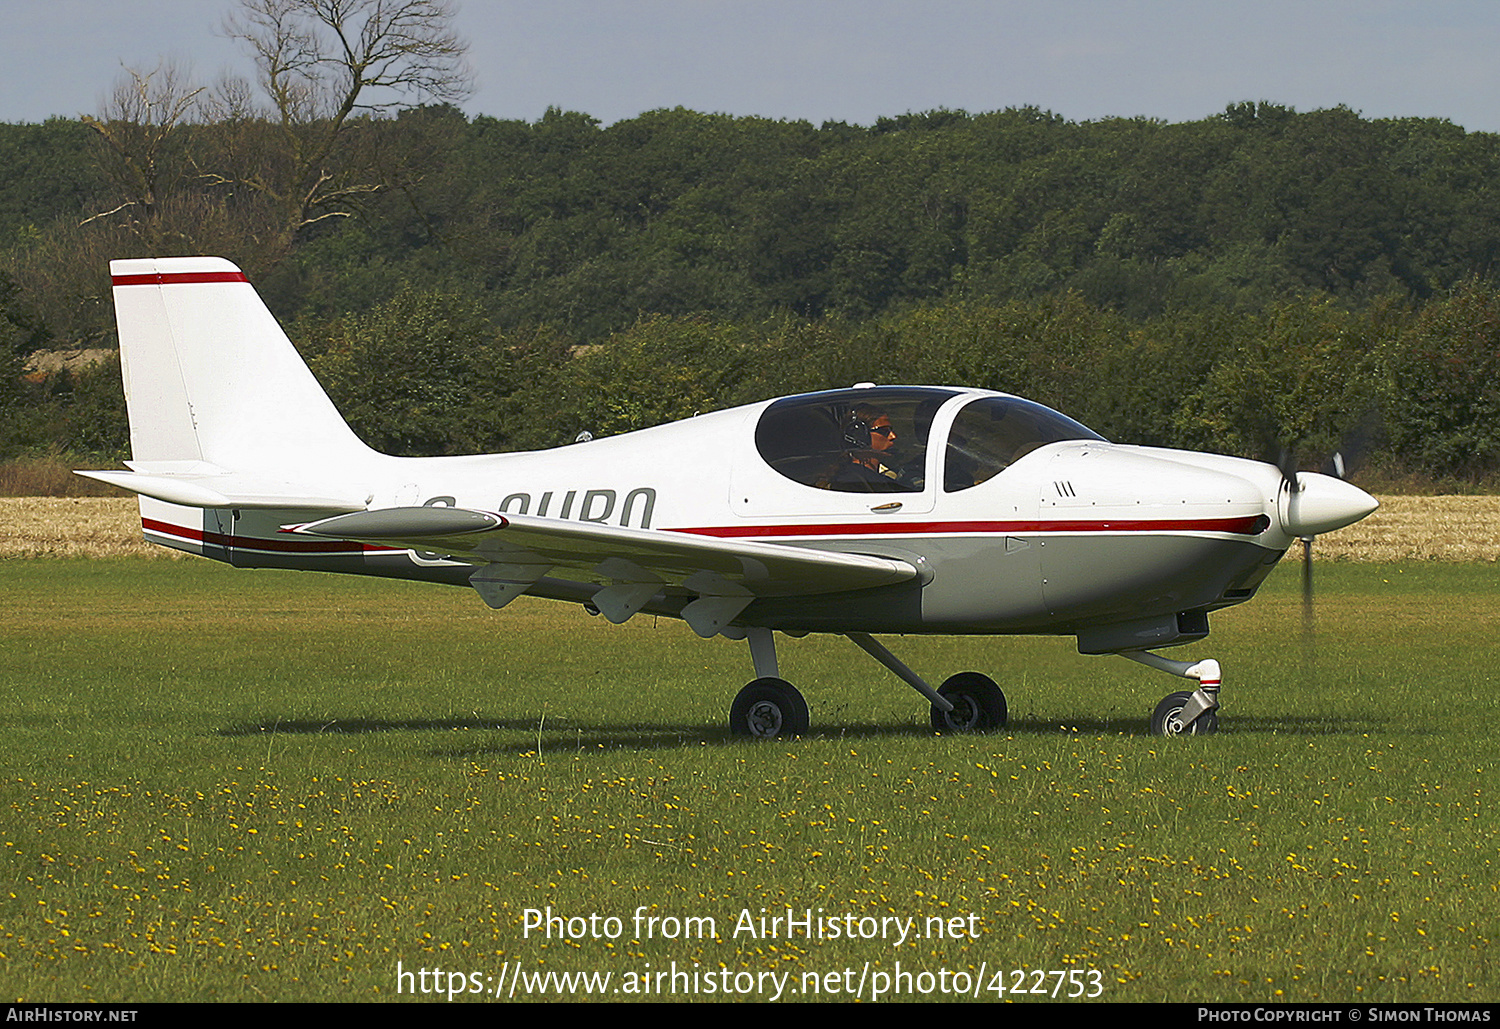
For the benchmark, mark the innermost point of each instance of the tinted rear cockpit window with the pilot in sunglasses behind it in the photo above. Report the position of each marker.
(863, 442)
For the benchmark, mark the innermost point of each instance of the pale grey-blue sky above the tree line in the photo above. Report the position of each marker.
(850, 61)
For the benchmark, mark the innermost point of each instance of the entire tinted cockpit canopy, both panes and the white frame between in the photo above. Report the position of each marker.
(878, 440)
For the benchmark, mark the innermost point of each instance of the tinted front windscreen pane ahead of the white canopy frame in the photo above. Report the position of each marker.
(992, 434)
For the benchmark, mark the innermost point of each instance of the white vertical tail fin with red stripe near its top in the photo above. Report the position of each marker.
(211, 376)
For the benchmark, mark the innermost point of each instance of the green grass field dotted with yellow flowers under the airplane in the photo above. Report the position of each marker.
(274, 787)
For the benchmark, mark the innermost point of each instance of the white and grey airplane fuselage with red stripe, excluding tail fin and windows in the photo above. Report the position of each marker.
(1073, 533)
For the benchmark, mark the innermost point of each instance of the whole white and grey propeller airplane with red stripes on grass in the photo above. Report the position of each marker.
(877, 509)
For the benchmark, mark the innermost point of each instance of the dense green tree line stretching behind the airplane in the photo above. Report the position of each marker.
(1253, 281)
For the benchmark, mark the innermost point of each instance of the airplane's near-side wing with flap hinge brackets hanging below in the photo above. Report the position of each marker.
(634, 566)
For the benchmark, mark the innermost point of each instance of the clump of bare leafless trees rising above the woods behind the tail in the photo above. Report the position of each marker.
(248, 167)
